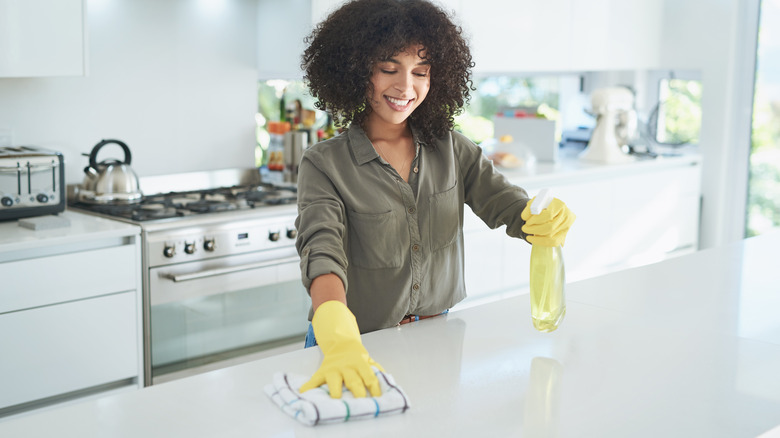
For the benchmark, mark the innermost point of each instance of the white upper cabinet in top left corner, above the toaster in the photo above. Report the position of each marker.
(41, 38)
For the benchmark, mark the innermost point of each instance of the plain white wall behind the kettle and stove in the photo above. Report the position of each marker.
(175, 79)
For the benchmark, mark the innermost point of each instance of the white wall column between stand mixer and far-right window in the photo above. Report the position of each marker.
(717, 37)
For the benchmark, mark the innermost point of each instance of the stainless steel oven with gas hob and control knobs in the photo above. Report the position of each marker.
(221, 276)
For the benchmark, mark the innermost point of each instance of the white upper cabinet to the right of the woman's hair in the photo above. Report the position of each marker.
(562, 35)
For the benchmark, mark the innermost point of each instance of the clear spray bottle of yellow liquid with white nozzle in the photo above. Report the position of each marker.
(548, 304)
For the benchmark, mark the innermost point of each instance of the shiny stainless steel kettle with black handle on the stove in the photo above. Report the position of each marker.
(110, 181)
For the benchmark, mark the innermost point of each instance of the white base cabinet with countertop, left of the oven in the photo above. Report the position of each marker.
(70, 309)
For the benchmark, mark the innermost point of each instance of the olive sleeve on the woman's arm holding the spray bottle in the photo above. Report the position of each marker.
(489, 194)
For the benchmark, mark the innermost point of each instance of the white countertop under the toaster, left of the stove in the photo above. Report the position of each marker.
(14, 237)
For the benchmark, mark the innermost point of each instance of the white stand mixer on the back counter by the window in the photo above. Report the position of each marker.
(614, 107)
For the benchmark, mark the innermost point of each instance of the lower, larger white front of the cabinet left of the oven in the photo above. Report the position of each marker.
(57, 349)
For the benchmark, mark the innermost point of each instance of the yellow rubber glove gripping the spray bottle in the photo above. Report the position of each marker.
(549, 227)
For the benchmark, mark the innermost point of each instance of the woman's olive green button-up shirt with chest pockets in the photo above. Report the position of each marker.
(397, 246)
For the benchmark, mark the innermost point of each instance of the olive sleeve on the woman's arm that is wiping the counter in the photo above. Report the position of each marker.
(321, 223)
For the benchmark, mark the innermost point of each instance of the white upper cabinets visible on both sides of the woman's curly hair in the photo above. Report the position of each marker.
(506, 36)
